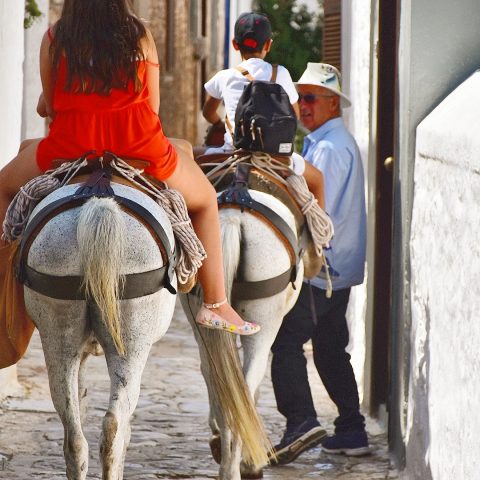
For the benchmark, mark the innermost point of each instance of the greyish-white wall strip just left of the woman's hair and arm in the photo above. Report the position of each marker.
(33, 126)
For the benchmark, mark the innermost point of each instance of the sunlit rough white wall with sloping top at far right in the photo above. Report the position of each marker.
(445, 286)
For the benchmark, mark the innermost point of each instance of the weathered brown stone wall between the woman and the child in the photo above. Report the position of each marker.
(189, 38)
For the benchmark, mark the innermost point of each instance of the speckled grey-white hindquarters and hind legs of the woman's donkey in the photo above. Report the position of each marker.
(67, 327)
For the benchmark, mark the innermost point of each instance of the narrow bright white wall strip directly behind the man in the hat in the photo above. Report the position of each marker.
(356, 84)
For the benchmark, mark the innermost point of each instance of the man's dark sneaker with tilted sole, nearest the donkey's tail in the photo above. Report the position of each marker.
(296, 441)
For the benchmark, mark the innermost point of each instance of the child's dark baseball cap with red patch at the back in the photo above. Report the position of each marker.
(252, 30)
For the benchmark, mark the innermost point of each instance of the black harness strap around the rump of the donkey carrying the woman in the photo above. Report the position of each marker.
(69, 287)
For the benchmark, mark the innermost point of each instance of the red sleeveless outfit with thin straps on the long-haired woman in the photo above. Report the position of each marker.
(122, 122)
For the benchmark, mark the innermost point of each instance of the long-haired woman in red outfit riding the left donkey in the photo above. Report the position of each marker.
(100, 78)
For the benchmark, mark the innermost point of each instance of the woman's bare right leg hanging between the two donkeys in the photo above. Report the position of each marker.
(201, 200)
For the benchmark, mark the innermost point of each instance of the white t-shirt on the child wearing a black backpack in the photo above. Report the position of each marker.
(228, 86)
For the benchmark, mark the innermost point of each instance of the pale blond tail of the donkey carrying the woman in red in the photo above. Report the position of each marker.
(100, 236)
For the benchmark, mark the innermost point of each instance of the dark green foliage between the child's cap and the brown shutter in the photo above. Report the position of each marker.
(297, 33)
